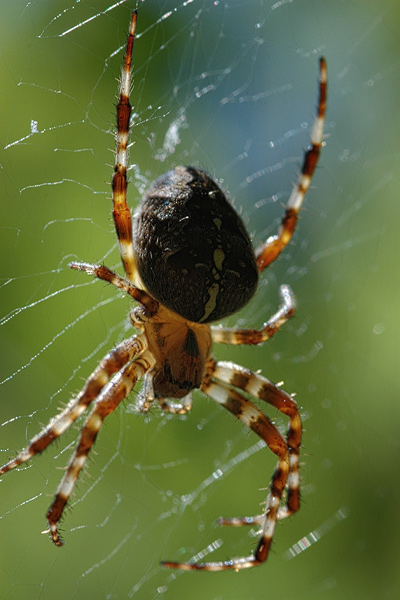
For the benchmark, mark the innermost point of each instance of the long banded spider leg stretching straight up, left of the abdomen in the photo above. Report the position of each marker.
(121, 213)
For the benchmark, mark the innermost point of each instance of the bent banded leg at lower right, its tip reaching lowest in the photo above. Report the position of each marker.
(255, 419)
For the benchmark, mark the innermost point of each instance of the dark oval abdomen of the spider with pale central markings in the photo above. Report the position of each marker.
(192, 250)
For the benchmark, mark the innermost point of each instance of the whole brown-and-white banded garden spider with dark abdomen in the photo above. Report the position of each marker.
(188, 262)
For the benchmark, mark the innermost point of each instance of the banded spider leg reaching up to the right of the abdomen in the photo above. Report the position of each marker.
(275, 244)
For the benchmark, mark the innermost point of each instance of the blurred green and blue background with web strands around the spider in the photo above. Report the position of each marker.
(230, 86)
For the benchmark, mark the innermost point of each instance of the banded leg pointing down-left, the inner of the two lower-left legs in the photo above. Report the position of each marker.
(107, 401)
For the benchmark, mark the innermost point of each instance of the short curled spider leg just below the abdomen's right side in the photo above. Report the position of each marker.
(226, 335)
